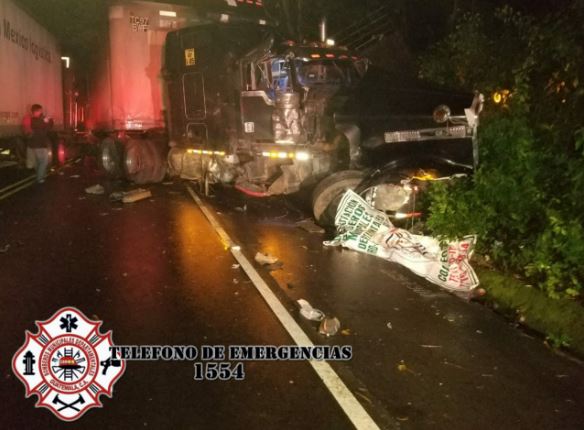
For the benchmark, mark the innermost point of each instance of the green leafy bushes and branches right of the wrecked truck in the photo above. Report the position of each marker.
(526, 200)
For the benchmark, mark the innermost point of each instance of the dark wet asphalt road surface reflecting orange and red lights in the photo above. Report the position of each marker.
(156, 273)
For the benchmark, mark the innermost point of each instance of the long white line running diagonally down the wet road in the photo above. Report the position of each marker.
(348, 402)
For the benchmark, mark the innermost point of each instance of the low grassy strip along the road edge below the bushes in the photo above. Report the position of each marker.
(561, 321)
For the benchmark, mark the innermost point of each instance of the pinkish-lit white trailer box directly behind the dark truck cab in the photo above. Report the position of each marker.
(126, 90)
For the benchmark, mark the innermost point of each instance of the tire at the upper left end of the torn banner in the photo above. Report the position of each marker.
(327, 194)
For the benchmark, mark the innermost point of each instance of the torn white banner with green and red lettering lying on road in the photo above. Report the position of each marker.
(368, 230)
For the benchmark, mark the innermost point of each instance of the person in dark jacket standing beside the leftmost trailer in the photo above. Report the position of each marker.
(38, 141)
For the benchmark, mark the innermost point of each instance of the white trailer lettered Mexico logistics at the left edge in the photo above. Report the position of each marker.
(31, 73)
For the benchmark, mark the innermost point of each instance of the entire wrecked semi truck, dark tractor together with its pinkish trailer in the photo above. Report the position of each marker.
(239, 105)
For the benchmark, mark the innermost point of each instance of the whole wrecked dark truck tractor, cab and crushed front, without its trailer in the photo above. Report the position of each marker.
(271, 117)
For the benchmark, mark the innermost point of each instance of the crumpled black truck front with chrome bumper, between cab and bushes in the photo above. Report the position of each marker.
(399, 138)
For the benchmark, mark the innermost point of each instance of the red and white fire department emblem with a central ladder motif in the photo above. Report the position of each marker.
(68, 364)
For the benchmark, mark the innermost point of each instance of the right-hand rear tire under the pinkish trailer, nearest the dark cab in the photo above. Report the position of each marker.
(144, 161)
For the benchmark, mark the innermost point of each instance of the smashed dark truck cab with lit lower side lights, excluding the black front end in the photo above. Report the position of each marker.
(247, 110)
